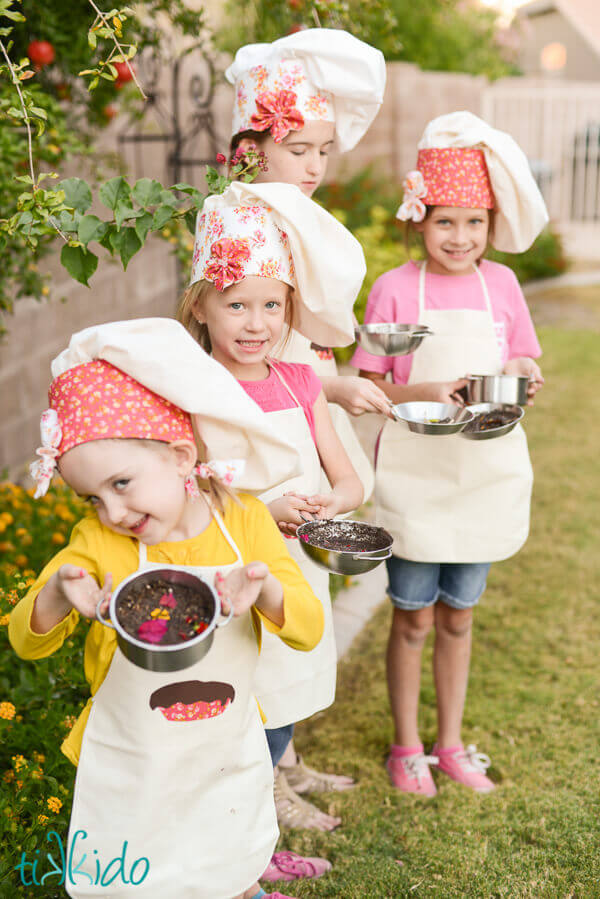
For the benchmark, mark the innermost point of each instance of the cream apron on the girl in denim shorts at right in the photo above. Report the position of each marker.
(448, 499)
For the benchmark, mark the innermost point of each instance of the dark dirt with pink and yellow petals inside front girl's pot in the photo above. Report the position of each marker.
(164, 613)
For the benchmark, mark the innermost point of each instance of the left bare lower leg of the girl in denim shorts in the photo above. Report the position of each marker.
(405, 647)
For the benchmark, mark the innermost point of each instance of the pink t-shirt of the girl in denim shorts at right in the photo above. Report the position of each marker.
(394, 297)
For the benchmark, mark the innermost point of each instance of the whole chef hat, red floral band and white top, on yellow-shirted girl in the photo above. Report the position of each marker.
(149, 379)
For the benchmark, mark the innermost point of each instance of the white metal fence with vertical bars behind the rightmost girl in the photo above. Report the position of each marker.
(558, 127)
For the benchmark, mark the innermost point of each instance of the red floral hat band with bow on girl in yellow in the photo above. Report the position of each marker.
(96, 401)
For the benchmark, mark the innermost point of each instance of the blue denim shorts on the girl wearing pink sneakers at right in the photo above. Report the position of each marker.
(416, 585)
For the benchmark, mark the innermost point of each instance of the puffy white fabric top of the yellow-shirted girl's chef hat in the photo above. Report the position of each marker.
(159, 354)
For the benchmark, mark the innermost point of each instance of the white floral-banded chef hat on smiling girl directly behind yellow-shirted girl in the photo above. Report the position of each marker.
(273, 230)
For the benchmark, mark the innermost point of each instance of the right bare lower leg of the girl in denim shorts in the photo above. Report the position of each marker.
(451, 658)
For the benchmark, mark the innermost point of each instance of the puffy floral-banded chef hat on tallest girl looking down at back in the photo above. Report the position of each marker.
(319, 74)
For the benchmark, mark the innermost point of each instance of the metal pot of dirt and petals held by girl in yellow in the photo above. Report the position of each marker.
(164, 618)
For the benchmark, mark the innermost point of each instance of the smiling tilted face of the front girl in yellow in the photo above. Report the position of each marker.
(137, 486)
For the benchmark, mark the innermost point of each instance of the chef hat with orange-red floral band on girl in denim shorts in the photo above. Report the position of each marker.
(463, 161)
